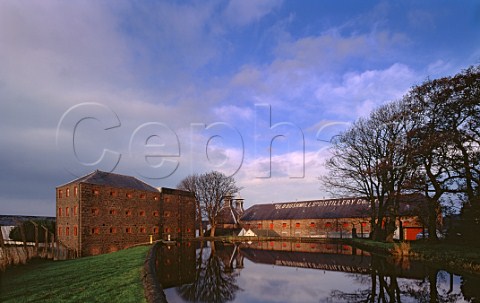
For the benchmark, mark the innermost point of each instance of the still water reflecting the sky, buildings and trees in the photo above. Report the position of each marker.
(302, 272)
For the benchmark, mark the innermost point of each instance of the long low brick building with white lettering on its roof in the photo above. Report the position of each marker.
(334, 218)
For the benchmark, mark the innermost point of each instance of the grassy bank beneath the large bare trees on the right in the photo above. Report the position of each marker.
(454, 257)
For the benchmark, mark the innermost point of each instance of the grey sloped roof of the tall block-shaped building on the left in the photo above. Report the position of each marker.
(115, 180)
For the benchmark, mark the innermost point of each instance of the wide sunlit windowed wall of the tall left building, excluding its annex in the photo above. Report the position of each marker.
(117, 218)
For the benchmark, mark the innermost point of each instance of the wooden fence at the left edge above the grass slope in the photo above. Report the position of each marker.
(19, 252)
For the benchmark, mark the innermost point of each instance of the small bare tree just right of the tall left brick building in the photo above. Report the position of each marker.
(210, 190)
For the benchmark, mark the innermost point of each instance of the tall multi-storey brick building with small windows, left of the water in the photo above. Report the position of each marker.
(104, 212)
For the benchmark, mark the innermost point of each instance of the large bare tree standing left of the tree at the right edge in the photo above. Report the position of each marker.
(372, 160)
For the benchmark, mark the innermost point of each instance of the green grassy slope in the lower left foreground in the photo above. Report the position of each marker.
(114, 277)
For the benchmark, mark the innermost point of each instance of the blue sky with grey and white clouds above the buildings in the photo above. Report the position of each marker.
(160, 90)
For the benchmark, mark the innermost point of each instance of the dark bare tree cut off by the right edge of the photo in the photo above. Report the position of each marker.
(447, 140)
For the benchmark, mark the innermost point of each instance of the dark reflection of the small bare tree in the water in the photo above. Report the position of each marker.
(213, 282)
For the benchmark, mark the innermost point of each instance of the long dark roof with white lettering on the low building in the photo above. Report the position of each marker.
(325, 209)
